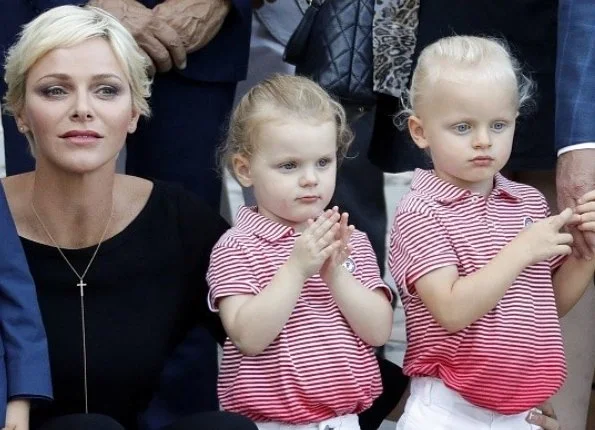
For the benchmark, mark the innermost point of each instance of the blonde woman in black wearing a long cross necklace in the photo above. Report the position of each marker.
(119, 262)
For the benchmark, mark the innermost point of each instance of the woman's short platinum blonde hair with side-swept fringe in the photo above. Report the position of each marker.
(67, 26)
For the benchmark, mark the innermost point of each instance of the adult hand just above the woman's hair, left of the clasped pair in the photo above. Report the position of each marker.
(160, 41)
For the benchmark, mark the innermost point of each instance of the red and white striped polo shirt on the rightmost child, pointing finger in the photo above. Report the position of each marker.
(512, 358)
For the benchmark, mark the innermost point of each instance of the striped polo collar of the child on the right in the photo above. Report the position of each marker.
(426, 182)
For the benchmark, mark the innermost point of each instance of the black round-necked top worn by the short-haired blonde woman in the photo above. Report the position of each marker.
(145, 291)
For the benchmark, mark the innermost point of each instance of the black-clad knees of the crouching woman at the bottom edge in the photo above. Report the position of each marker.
(200, 421)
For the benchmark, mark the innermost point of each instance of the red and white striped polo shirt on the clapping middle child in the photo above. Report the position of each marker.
(317, 368)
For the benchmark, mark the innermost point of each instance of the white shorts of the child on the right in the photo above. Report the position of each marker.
(433, 406)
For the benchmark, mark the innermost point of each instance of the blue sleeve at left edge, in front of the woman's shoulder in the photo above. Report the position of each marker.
(23, 335)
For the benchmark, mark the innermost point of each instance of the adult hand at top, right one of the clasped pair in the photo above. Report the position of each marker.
(197, 22)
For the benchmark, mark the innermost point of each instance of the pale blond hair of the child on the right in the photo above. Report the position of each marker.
(459, 57)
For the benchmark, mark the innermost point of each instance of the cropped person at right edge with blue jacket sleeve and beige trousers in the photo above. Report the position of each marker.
(575, 175)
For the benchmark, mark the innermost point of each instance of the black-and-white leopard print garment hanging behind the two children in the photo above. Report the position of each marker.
(394, 37)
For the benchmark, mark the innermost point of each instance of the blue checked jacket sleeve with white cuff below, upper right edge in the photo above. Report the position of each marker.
(575, 73)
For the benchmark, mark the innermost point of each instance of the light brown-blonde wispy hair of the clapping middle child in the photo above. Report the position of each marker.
(276, 98)
